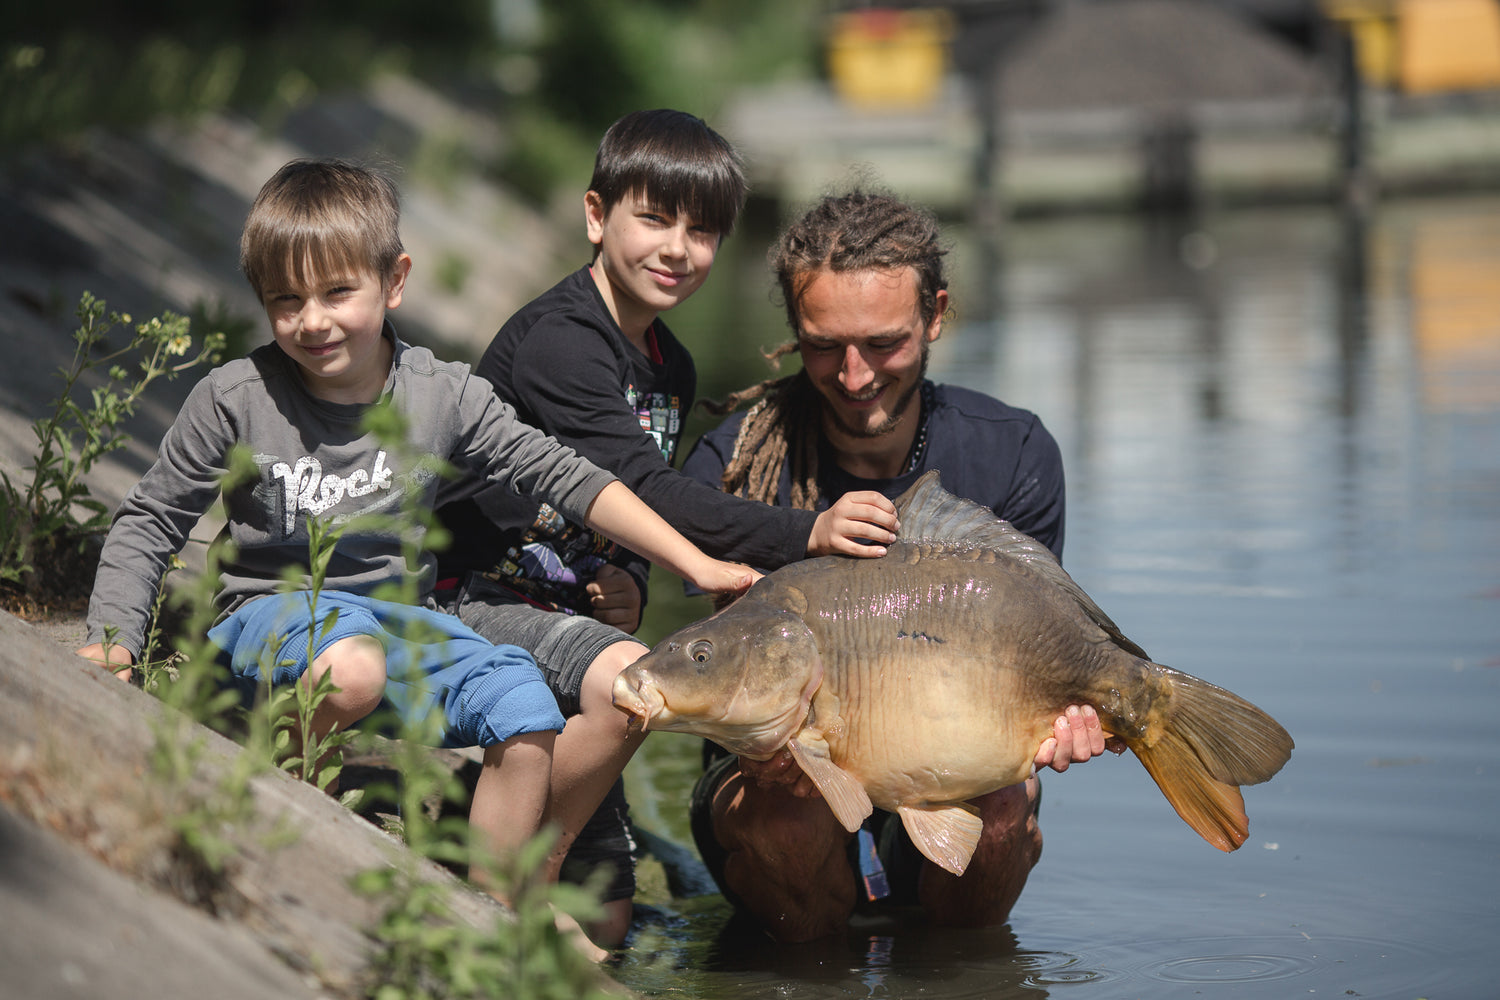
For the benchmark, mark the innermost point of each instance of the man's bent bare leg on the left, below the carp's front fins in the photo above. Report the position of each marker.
(785, 858)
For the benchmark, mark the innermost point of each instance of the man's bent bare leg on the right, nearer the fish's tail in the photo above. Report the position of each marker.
(1010, 848)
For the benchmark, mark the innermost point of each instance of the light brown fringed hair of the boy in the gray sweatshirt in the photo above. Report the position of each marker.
(316, 220)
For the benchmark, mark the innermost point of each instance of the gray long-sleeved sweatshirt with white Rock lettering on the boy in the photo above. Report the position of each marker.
(314, 461)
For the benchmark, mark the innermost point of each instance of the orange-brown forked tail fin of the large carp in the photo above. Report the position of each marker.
(1211, 743)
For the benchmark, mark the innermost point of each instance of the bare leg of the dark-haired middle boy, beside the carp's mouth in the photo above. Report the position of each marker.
(592, 752)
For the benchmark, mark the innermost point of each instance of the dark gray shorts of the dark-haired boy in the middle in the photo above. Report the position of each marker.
(563, 645)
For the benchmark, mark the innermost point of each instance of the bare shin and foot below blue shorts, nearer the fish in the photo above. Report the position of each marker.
(509, 809)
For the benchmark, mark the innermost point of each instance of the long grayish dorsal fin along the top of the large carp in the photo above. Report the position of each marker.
(932, 515)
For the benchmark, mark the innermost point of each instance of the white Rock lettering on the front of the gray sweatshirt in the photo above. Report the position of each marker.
(293, 491)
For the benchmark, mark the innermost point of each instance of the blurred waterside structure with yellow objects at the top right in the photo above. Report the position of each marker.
(1147, 104)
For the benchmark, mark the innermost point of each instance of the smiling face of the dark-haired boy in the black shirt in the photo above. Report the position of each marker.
(649, 260)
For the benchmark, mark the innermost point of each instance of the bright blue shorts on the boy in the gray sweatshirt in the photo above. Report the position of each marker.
(446, 684)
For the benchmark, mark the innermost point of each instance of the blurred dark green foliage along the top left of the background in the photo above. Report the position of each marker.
(557, 73)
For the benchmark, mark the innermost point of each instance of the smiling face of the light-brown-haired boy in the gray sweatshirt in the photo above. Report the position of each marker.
(332, 325)
